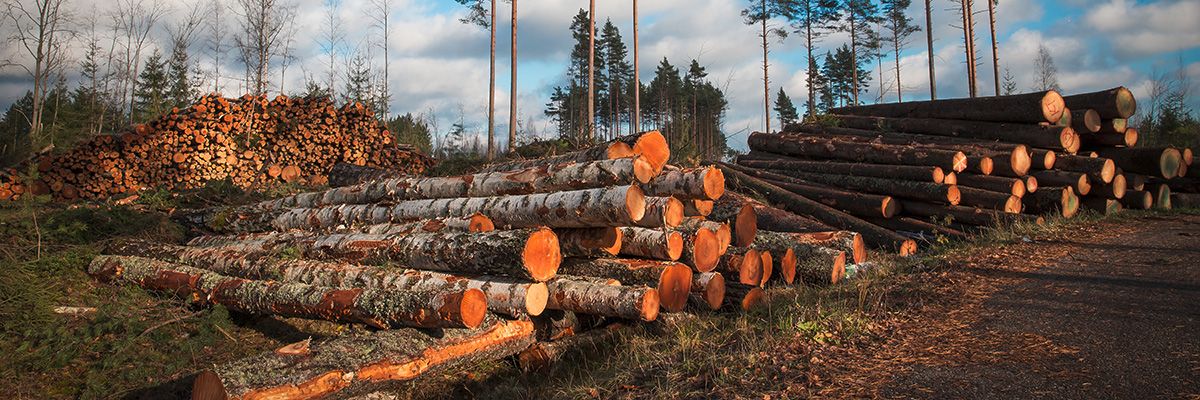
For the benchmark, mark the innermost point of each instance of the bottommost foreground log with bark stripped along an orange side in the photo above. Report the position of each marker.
(361, 365)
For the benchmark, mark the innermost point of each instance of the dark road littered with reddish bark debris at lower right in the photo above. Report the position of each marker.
(1109, 312)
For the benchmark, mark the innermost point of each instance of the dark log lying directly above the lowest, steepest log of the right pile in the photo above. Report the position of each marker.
(856, 204)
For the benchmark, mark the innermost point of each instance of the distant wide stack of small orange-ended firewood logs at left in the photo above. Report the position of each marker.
(249, 141)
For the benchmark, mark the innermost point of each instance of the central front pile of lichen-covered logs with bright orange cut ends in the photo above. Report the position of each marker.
(526, 259)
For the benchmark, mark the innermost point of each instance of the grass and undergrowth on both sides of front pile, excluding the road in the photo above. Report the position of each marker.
(139, 343)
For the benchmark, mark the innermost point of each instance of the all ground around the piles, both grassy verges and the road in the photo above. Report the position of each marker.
(1085, 308)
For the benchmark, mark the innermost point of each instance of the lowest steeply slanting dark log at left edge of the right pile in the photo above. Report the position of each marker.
(795, 204)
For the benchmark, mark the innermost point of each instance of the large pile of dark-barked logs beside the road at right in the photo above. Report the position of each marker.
(923, 170)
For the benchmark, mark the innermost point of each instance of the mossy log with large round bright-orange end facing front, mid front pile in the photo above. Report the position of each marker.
(527, 254)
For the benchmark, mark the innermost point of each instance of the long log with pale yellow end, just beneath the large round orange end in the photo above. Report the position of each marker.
(505, 296)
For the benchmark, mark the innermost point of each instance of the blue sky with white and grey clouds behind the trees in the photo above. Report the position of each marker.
(439, 67)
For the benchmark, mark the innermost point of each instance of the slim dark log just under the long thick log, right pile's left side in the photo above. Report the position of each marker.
(770, 162)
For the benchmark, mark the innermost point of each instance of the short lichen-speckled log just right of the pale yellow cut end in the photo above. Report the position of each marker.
(590, 297)
